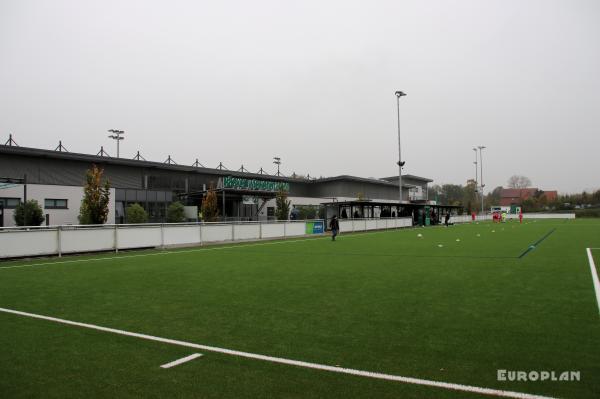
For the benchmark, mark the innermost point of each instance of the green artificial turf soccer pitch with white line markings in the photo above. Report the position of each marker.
(386, 314)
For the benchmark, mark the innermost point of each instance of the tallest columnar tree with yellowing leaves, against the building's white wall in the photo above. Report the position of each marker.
(94, 206)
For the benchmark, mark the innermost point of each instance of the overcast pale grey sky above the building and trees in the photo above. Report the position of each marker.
(313, 82)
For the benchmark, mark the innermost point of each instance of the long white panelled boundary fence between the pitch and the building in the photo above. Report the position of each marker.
(57, 240)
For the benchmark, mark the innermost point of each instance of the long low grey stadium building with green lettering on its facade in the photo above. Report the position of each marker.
(56, 178)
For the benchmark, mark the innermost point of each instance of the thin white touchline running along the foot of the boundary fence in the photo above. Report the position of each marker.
(187, 250)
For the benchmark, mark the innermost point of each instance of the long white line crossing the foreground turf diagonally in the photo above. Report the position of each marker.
(297, 363)
